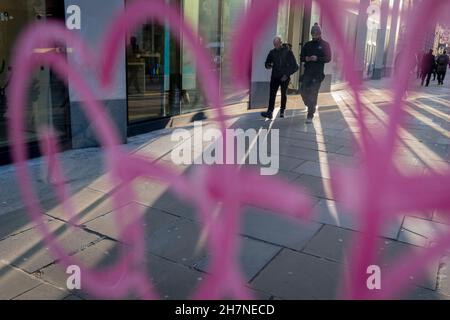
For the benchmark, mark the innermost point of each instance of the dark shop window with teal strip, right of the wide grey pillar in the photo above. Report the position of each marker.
(153, 72)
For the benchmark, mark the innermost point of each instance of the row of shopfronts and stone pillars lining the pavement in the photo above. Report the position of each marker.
(156, 84)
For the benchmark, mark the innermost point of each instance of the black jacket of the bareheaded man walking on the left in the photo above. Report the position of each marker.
(282, 61)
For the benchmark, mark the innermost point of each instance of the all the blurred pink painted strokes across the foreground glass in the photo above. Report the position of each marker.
(374, 191)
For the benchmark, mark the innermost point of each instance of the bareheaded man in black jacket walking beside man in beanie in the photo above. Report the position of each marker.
(283, 64)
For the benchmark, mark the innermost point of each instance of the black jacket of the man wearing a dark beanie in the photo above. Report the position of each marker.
(321, 49)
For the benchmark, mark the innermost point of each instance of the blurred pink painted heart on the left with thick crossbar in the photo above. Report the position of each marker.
(205, 192)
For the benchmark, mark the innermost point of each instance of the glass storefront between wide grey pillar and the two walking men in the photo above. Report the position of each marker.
(161, 73)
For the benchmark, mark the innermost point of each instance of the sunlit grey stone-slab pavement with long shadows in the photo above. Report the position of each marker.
(281, 259)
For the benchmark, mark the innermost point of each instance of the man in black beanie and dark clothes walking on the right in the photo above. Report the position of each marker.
(314, 54)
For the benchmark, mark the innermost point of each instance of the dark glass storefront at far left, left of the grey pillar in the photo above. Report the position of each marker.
(48, 96)
